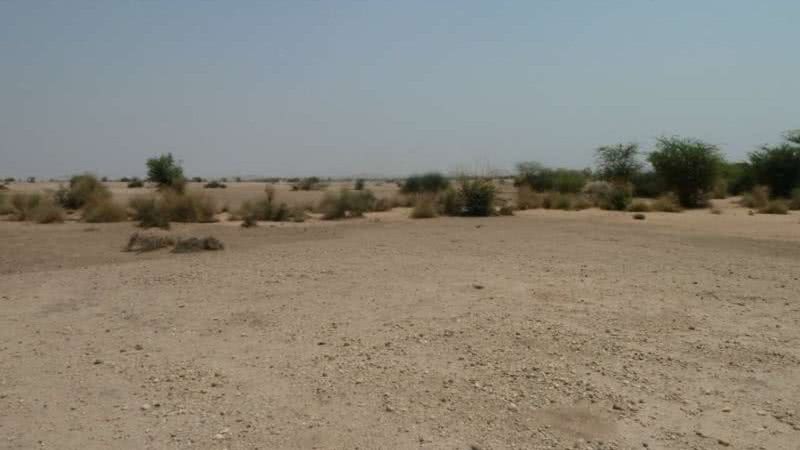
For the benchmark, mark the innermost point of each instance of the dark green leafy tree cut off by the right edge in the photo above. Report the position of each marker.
(778, 167)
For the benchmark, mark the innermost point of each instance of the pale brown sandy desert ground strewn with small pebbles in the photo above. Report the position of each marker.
(548, 329)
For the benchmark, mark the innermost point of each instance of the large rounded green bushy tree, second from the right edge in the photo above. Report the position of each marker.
(689, 167)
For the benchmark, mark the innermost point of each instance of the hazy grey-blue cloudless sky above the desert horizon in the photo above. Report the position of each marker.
(384, 87)
